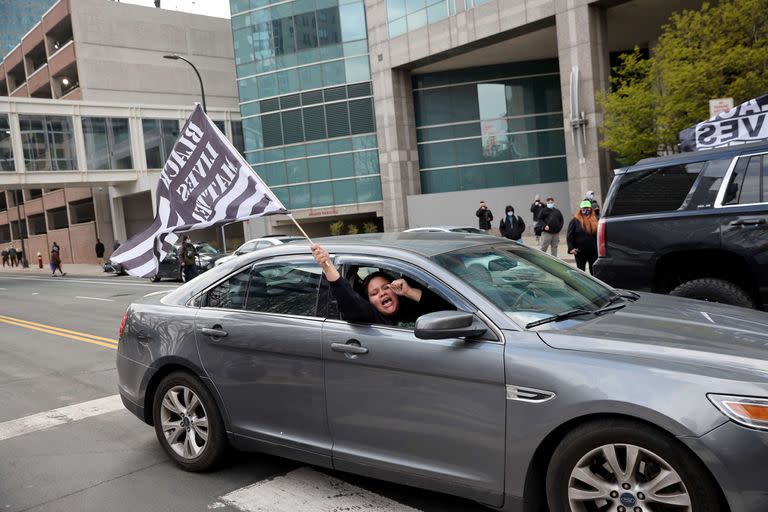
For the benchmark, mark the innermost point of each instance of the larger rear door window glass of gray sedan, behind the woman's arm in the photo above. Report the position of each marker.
(289, 288)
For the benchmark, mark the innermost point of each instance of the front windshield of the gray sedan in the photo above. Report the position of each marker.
(526, 284)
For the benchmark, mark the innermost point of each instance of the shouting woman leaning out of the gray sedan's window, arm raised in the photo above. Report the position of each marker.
(390, 301)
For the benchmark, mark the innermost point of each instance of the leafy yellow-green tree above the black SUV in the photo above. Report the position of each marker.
(717, 51)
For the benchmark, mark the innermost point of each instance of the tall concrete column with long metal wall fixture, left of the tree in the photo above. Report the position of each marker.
(581, 41)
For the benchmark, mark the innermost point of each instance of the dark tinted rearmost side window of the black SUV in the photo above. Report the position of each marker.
(655, 190)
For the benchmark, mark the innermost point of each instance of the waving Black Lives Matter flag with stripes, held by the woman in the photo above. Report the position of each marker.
(205, 182)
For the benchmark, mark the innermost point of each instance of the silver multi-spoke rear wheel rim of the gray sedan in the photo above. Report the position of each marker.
(184, 422)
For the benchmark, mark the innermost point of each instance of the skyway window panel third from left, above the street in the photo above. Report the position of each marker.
(107, 143)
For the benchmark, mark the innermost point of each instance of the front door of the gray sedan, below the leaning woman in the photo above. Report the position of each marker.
(426, 412)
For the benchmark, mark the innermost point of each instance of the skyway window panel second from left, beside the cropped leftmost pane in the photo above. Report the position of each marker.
(48, 142)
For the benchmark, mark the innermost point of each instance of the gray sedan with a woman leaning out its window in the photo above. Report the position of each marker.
(535, 386)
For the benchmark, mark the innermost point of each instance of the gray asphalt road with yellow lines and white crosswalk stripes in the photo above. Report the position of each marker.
(66, 444)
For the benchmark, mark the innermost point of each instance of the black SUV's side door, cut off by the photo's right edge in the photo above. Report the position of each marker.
(744, 228)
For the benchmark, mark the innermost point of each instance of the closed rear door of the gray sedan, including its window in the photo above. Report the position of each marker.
(259, 339)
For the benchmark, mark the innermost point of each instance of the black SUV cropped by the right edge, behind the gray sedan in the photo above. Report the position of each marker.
(693, 225)
